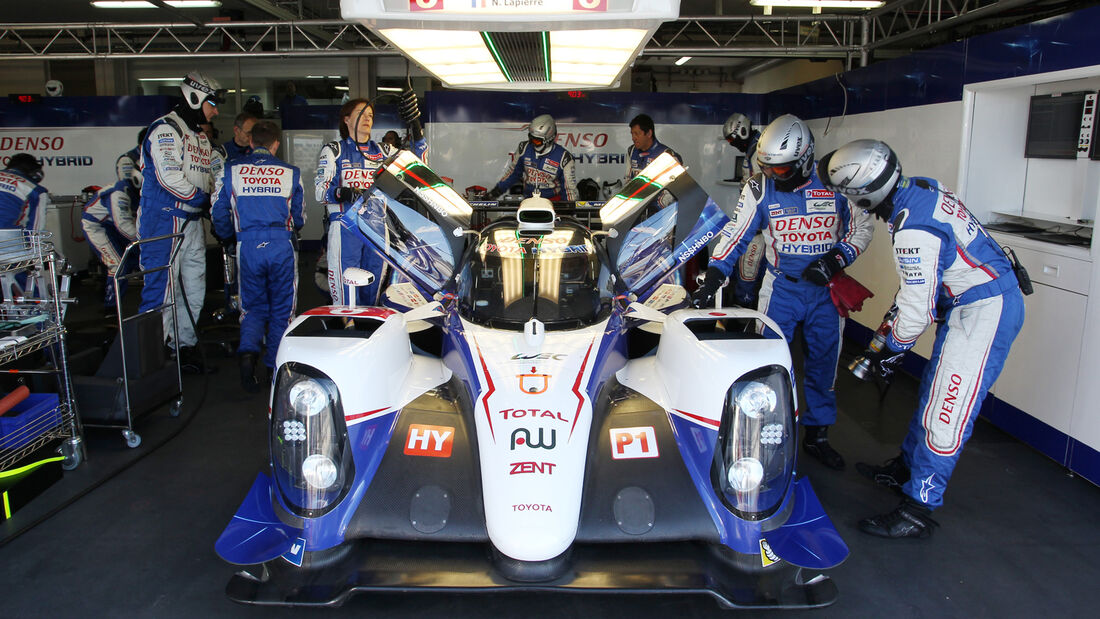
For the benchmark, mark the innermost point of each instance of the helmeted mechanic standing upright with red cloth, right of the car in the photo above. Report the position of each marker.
(811, 235)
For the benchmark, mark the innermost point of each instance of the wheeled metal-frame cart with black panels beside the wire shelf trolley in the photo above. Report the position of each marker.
(136, 377)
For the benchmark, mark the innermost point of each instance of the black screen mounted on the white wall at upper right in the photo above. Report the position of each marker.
(1054, 125)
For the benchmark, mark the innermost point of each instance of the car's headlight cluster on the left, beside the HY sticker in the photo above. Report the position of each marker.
(311, 451)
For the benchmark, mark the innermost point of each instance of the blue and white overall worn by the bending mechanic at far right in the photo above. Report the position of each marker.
(947, 261)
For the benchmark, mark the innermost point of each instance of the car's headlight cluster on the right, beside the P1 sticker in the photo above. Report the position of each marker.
(755, 459)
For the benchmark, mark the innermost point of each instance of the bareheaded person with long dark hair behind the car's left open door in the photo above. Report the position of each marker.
(346, 170)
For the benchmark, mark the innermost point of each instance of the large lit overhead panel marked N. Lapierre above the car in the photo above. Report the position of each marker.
(518, 46)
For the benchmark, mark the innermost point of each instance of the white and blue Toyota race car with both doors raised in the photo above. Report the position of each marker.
(523, 416)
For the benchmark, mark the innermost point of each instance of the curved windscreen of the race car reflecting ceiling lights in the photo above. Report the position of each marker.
(556, 278)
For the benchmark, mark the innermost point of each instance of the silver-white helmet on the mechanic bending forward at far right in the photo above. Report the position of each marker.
(865, 172)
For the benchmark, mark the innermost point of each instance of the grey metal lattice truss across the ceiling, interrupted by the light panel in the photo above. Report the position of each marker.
(787, 37)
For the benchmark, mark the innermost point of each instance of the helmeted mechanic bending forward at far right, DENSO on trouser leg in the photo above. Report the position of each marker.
(949, 264)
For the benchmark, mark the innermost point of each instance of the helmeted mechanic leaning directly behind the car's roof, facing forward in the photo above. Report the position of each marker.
(545, 167)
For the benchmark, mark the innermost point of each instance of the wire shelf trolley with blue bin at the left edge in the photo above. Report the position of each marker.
(31, 313)
